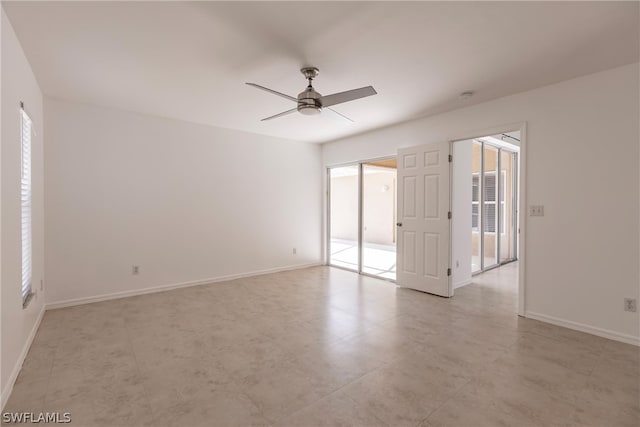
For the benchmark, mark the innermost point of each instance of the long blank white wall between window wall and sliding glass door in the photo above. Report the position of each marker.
(184, 202)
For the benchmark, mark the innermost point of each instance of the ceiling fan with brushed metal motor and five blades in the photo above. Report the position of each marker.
(311, 102)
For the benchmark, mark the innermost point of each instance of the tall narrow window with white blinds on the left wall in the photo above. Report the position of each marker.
(25, 201)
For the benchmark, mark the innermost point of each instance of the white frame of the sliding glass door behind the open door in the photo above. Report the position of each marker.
(327, 234)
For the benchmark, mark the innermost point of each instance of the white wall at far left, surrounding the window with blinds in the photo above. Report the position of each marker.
(18, 324)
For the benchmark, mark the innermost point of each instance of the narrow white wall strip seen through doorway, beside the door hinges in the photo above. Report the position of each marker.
(461, 220)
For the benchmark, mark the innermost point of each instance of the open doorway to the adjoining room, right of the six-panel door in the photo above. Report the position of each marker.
(485, 200)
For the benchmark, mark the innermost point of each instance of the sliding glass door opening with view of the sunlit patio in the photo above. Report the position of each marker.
(362, 217)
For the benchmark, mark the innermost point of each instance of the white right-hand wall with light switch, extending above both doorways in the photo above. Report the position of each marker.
(582, 165)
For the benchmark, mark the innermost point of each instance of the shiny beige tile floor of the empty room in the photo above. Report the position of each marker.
(324, 347)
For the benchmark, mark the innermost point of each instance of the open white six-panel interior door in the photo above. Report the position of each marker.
(423, 219)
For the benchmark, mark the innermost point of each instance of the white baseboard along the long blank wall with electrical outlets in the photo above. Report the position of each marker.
(162, 288)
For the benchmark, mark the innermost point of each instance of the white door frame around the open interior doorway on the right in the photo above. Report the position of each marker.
(522, 197)
